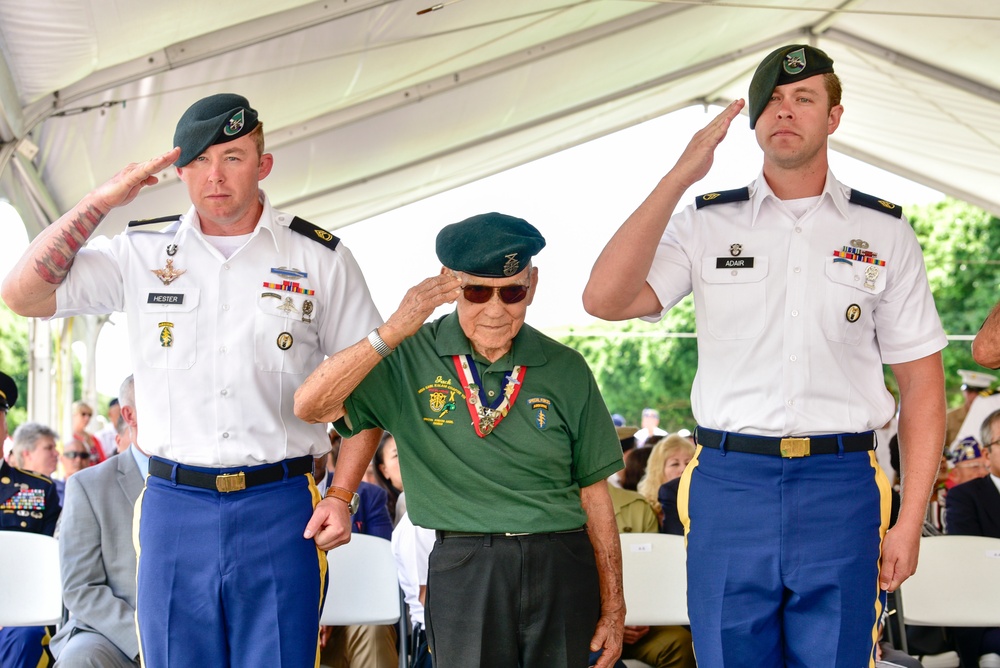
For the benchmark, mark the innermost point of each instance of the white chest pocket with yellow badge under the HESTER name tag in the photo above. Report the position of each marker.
(170, 330)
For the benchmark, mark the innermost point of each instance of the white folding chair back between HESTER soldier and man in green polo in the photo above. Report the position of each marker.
(364, 587)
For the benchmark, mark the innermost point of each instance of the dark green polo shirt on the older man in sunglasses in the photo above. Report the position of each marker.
(526, 475)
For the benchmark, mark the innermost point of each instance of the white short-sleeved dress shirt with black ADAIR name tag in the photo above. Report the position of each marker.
(794, 344)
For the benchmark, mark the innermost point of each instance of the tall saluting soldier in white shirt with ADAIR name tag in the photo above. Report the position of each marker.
(803, 289)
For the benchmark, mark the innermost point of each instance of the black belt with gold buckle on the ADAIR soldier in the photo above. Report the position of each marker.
(789, 446)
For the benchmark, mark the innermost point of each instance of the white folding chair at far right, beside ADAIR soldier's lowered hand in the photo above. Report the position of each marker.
(957, 583)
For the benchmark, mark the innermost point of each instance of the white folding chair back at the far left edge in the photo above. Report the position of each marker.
(29, 574)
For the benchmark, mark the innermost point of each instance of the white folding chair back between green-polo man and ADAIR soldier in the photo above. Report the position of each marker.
(654, 578)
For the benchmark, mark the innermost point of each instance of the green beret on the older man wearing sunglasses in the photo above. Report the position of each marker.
(491, 245)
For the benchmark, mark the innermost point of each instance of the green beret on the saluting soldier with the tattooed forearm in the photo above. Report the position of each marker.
(215, 119)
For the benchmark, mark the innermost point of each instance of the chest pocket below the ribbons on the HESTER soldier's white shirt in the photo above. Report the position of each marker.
(284, 334)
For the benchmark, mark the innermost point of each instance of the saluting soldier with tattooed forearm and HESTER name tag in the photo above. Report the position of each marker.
(229, 308)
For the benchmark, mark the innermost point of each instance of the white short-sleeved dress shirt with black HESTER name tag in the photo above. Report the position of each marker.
(217, 355)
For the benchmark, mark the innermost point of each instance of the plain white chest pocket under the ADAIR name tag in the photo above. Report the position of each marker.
(734, 300)
